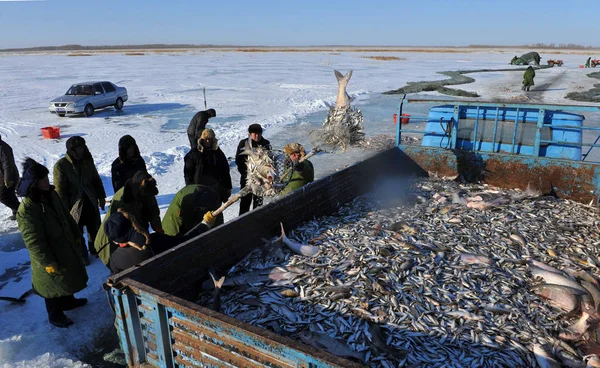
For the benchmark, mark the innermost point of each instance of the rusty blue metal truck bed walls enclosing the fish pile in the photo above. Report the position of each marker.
(157, 324)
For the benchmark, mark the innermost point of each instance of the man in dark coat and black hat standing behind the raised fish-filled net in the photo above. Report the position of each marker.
(256, 140)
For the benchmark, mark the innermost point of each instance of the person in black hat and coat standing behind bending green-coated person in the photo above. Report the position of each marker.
(128, 163)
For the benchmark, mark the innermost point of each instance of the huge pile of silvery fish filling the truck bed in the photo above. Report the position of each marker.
(440, 274)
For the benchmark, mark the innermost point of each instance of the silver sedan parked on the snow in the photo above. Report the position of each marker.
(84, 98)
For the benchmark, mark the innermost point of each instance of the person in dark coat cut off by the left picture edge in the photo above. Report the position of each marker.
(9, 176)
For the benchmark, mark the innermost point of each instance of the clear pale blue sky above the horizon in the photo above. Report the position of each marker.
(298, 23)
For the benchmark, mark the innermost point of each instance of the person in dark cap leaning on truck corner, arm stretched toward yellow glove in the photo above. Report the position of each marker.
(135, 245)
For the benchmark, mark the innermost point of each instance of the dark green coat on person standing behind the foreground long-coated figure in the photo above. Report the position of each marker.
(76, 180)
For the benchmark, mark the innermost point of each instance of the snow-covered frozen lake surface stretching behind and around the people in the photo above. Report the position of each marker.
(288, 93)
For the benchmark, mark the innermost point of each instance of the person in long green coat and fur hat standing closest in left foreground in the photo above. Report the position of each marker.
(53, 240)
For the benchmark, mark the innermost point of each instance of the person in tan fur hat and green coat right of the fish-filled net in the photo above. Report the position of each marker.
(298, 172)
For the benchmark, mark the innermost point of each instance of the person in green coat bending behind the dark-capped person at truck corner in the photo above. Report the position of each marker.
(138, 198)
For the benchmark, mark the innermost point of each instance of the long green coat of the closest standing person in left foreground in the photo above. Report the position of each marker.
(52, 236)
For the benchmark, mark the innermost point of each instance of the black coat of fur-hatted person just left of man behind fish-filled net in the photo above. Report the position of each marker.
(209, 167)
